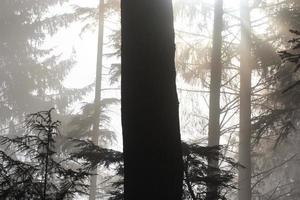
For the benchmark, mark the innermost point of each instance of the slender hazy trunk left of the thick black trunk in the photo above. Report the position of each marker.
(97, 100)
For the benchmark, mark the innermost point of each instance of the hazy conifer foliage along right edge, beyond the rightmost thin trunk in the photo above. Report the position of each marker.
(276, 169)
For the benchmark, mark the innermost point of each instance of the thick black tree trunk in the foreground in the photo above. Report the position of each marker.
(151, 136)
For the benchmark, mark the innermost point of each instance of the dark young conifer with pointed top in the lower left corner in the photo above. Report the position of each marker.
(39, 172)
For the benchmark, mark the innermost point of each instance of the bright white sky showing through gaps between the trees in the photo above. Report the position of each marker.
(85, 47)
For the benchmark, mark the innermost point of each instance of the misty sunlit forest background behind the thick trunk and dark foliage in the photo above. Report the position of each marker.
(50, 58)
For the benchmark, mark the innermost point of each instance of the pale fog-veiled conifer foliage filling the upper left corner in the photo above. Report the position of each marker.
(31, 77)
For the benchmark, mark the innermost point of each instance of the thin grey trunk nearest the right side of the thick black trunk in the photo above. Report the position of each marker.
(214, 105)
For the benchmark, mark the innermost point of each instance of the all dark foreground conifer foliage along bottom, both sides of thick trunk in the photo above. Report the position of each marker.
(41, 171)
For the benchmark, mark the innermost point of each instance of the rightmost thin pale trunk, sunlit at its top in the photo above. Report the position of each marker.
(244, 181)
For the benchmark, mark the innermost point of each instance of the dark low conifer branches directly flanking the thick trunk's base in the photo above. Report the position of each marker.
(195, 171)
